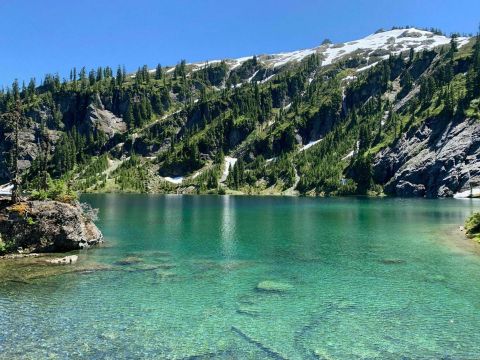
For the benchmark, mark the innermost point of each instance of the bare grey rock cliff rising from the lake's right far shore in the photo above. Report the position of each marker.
(438, 159)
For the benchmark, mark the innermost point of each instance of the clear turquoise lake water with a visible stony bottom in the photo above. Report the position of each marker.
(370, 279)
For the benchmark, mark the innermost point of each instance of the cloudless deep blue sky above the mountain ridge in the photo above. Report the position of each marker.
(48, 36)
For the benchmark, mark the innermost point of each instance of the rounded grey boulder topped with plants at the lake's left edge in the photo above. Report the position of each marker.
(47, 226)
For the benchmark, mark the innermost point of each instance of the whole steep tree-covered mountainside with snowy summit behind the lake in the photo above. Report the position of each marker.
(396, 111)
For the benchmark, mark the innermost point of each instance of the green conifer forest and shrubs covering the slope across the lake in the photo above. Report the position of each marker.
(189, 118)
